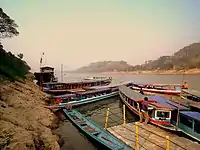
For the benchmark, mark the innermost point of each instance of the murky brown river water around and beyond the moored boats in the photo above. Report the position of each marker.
(73, 140)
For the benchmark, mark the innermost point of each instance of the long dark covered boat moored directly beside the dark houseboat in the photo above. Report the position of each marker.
(61, 88)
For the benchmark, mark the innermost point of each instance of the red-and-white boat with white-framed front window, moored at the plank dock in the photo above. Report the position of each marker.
(161, 110)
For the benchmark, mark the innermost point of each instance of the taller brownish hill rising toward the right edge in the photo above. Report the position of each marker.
(187, 58)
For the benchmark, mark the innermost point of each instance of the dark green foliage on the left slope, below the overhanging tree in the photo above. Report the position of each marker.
(12, 67)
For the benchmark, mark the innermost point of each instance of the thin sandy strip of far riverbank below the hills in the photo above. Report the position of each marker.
(159, 72)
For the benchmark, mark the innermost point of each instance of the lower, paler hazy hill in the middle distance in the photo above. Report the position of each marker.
(105, 66)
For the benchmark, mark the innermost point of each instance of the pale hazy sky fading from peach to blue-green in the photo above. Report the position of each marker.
(77, 32)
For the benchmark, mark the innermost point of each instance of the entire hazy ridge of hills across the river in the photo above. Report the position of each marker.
(186, 58)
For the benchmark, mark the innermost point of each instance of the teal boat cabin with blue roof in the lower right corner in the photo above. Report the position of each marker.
(189, 123)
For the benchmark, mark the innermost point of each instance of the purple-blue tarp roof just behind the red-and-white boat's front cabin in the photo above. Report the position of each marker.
(167, 102)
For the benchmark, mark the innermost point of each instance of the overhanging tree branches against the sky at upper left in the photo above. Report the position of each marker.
(7, 26)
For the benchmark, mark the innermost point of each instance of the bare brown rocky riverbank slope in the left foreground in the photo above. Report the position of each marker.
(24, 123)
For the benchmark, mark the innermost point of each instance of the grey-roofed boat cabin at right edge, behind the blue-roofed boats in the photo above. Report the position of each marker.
(191, 95)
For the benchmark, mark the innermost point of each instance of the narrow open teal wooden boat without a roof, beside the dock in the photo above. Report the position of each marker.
(94, 131)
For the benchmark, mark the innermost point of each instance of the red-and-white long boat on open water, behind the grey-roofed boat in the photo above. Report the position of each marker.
(171, 89)
